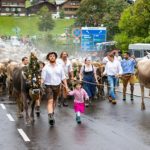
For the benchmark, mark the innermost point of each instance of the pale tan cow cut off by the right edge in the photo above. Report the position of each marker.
(143, 74)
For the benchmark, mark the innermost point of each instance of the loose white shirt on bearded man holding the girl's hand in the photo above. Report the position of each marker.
(53, 75)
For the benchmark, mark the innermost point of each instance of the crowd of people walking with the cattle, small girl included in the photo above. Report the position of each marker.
(58, 74)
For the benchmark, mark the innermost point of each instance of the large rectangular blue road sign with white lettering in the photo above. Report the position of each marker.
(91, 36)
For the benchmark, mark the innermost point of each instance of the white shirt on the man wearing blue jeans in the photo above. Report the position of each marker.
(113, 68)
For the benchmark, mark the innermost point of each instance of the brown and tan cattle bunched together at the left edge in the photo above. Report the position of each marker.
(14, 81)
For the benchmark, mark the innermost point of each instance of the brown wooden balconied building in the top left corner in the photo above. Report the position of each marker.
(11, 7)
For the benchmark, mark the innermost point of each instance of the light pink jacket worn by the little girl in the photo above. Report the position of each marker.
(79, 95)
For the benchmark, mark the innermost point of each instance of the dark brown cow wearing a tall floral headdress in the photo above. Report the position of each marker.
(26, 89)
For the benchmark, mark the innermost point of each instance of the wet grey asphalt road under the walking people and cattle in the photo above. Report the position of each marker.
(104, 127)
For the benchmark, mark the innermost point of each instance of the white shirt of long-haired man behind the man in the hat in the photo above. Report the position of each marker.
(66, 66)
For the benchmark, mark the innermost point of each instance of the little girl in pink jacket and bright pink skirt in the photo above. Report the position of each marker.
(80, 96)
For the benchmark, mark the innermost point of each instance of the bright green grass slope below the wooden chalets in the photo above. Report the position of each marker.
(28, 25)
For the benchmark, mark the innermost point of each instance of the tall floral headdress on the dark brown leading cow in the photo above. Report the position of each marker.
(33, 72)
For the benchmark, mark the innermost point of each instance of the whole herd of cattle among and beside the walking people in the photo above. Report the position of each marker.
(14, 82)
